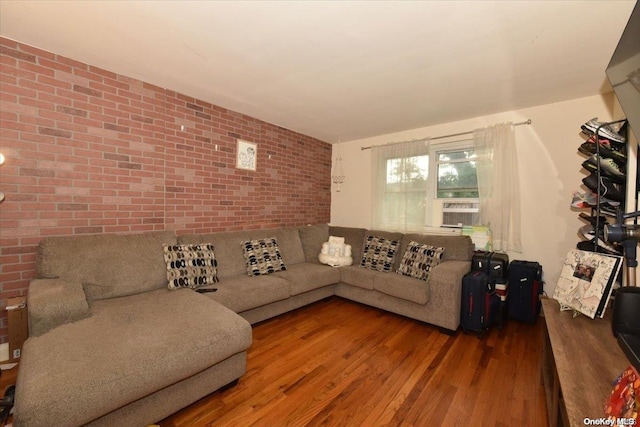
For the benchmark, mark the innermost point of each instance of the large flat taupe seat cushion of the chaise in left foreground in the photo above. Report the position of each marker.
(129, 348)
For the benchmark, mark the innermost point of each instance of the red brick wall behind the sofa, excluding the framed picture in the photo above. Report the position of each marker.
(91, 151)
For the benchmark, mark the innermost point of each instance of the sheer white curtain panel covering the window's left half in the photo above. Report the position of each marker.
(399, 185)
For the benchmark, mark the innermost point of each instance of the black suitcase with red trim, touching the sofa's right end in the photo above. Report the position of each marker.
(479, 302)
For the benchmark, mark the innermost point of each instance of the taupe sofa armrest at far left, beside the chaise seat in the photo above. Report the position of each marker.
(54, 302)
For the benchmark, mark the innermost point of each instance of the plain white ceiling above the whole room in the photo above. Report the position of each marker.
(340, 69)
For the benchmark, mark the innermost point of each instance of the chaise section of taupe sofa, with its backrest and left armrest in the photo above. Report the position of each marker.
(111, 345)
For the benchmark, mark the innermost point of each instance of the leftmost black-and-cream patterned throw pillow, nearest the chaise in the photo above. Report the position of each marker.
(190, 266)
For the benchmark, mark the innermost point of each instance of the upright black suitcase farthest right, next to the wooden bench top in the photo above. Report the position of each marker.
(525, 288)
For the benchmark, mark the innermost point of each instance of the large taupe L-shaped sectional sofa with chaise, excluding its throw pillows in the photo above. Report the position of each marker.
(110, 344)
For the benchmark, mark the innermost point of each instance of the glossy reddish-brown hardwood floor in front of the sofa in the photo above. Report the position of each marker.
(339, 363)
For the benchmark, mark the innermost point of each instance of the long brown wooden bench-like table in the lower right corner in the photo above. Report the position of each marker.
(580, 359)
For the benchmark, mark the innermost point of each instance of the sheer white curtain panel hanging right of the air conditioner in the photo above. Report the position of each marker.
(498, 185)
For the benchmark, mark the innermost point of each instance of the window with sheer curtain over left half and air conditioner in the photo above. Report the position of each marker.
(418, 186)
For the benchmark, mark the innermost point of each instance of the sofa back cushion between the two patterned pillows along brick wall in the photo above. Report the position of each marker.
(229, 253)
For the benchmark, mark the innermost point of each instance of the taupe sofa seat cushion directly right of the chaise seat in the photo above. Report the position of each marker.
(242, 293)
